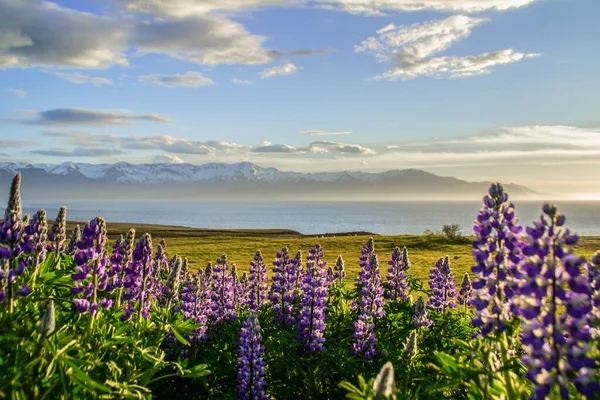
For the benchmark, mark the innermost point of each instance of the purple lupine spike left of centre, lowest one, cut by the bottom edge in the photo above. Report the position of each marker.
(251, 367)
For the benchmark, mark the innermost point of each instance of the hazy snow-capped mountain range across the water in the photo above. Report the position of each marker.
(239, 181)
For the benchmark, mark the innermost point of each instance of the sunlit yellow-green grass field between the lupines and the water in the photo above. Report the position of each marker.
(202, 245)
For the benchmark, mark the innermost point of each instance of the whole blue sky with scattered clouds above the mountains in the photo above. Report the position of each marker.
(479, 89)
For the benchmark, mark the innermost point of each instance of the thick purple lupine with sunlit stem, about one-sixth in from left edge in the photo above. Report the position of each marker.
(90, 275)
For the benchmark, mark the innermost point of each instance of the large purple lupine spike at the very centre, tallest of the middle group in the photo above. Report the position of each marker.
(311, 321)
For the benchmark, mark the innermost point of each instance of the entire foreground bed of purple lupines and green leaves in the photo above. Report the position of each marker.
(80, 321)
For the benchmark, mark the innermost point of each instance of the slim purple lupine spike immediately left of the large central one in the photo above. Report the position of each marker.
(282, 288)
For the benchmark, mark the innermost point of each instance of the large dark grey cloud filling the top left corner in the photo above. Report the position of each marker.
(37, 33)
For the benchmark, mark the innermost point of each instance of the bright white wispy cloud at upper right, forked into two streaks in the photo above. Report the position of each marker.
(411, 48)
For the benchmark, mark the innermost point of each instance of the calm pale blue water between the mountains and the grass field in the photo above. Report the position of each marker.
(388, 218)
